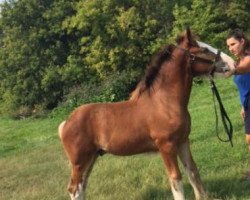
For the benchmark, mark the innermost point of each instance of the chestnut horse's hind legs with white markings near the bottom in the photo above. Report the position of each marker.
(79, 176)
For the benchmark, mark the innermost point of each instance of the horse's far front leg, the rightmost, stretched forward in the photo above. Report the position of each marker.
(192, 171)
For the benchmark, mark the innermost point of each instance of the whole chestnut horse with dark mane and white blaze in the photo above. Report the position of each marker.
(155, 118)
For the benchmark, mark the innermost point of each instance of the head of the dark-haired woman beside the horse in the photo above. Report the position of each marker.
(238, 44)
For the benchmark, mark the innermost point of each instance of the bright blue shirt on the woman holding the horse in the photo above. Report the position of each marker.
(242, 82)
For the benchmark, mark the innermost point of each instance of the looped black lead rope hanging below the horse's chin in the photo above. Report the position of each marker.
(225, 119)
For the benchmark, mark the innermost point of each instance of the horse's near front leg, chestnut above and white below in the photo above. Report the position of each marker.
(169, 155)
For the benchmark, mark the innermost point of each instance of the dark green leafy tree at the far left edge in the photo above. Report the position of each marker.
(34, 47)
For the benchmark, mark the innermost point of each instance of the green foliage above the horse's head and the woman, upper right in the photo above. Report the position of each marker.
(209, 20)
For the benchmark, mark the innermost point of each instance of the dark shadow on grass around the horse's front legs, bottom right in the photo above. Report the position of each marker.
(225, 189)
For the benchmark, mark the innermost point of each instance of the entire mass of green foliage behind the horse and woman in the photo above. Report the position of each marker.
(51, 47)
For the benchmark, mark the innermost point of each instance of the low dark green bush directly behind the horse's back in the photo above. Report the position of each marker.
(115, 87)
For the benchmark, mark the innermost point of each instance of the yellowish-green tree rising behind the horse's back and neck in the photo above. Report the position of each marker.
(118, 35)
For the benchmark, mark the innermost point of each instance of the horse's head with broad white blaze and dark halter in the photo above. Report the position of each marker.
(202, 58)
